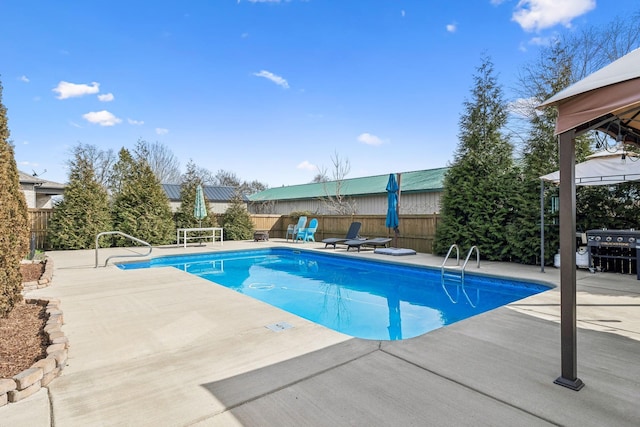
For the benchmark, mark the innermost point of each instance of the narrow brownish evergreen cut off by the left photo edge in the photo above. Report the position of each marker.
(14, 226)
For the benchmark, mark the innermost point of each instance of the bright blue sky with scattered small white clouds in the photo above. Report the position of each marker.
(267, 89)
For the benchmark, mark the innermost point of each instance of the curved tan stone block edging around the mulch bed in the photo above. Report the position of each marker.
(41, 373)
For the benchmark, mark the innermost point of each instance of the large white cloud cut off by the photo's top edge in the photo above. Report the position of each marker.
(533, 15)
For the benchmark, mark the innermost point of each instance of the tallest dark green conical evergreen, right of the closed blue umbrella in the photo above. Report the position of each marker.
(481, 183)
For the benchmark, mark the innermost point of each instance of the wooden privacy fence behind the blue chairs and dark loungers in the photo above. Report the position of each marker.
(417, 232)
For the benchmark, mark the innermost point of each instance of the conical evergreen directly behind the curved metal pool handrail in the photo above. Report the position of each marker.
(140, 206)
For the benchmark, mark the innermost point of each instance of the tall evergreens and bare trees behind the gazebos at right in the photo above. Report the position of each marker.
(492, 190)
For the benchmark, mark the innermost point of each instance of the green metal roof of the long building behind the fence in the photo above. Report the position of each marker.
(424, 181)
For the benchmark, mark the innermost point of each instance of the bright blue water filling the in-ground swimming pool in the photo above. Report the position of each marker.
(361, 298)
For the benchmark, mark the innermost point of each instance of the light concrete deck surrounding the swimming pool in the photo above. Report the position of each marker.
(161, 347)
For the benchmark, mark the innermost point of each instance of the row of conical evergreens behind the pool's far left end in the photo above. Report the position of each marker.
(127, 195)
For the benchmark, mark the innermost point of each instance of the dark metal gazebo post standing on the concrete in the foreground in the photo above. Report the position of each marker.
(569, 377)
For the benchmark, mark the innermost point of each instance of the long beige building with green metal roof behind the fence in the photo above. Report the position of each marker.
(420, 194)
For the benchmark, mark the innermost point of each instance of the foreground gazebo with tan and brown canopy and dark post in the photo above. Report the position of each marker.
(608, 101)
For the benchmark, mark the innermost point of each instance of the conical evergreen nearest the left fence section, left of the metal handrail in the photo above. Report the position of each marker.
(84, 210)
